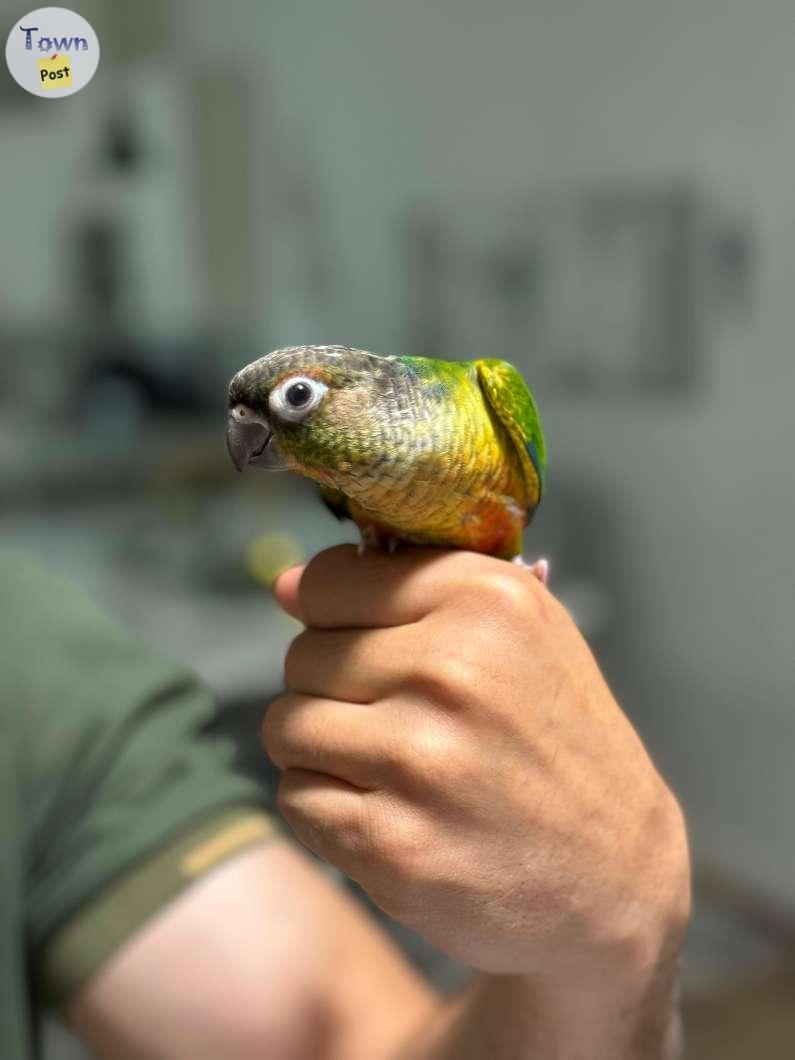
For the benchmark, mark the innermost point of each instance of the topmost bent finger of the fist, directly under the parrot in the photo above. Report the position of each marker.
(341, 589)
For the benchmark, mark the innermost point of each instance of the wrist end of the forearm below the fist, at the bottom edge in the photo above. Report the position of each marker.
(515, 1018)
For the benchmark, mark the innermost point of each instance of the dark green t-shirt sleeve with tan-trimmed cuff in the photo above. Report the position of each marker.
(126, 796)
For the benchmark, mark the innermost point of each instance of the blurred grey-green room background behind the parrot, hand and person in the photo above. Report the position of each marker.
(603, 193)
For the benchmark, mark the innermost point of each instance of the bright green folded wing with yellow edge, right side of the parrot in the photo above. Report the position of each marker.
(510, 399)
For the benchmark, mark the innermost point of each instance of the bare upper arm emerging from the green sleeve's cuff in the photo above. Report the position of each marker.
(263, 958)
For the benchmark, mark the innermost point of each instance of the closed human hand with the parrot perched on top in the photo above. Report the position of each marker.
(448, 740)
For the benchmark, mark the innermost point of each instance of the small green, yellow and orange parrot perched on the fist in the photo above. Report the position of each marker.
(416, 451)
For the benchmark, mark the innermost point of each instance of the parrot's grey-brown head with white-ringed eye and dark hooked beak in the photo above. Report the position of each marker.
(305, 409)
